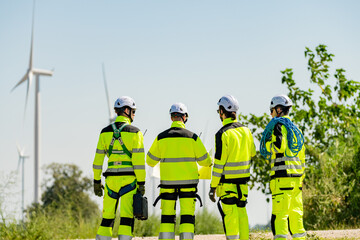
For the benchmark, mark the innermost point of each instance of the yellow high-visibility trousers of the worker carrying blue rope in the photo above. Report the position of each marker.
(287, 208)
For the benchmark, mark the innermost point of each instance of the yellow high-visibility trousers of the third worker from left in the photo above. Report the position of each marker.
(233, 198)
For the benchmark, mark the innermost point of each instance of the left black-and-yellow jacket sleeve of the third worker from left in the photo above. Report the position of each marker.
(220, 158)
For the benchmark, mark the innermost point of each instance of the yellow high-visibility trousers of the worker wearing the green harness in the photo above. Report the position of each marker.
(110, 205)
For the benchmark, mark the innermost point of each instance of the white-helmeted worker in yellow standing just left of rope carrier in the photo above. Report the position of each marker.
(234, 148)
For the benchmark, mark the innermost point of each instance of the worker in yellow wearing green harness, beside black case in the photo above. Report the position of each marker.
(123, 144)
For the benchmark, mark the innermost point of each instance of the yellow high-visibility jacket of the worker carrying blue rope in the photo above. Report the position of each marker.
(281, 165)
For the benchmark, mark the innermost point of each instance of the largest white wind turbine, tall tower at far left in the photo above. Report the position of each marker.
(30, 73)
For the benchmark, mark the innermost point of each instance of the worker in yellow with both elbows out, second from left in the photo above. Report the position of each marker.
(178, 151)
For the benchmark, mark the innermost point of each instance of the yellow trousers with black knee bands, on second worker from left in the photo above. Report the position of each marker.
(168, 215)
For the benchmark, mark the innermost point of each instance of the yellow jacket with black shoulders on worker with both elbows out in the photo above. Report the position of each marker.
(178, 150)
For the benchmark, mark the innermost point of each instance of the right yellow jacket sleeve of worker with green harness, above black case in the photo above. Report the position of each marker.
(138, 158)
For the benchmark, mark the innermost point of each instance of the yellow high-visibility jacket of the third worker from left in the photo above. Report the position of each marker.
(234, 148)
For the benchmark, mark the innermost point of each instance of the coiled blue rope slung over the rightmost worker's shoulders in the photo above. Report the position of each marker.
(294, 136)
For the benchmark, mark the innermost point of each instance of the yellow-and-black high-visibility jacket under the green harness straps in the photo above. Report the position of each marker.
(119, 163)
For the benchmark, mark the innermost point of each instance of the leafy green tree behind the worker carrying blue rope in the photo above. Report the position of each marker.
(329, 116)
